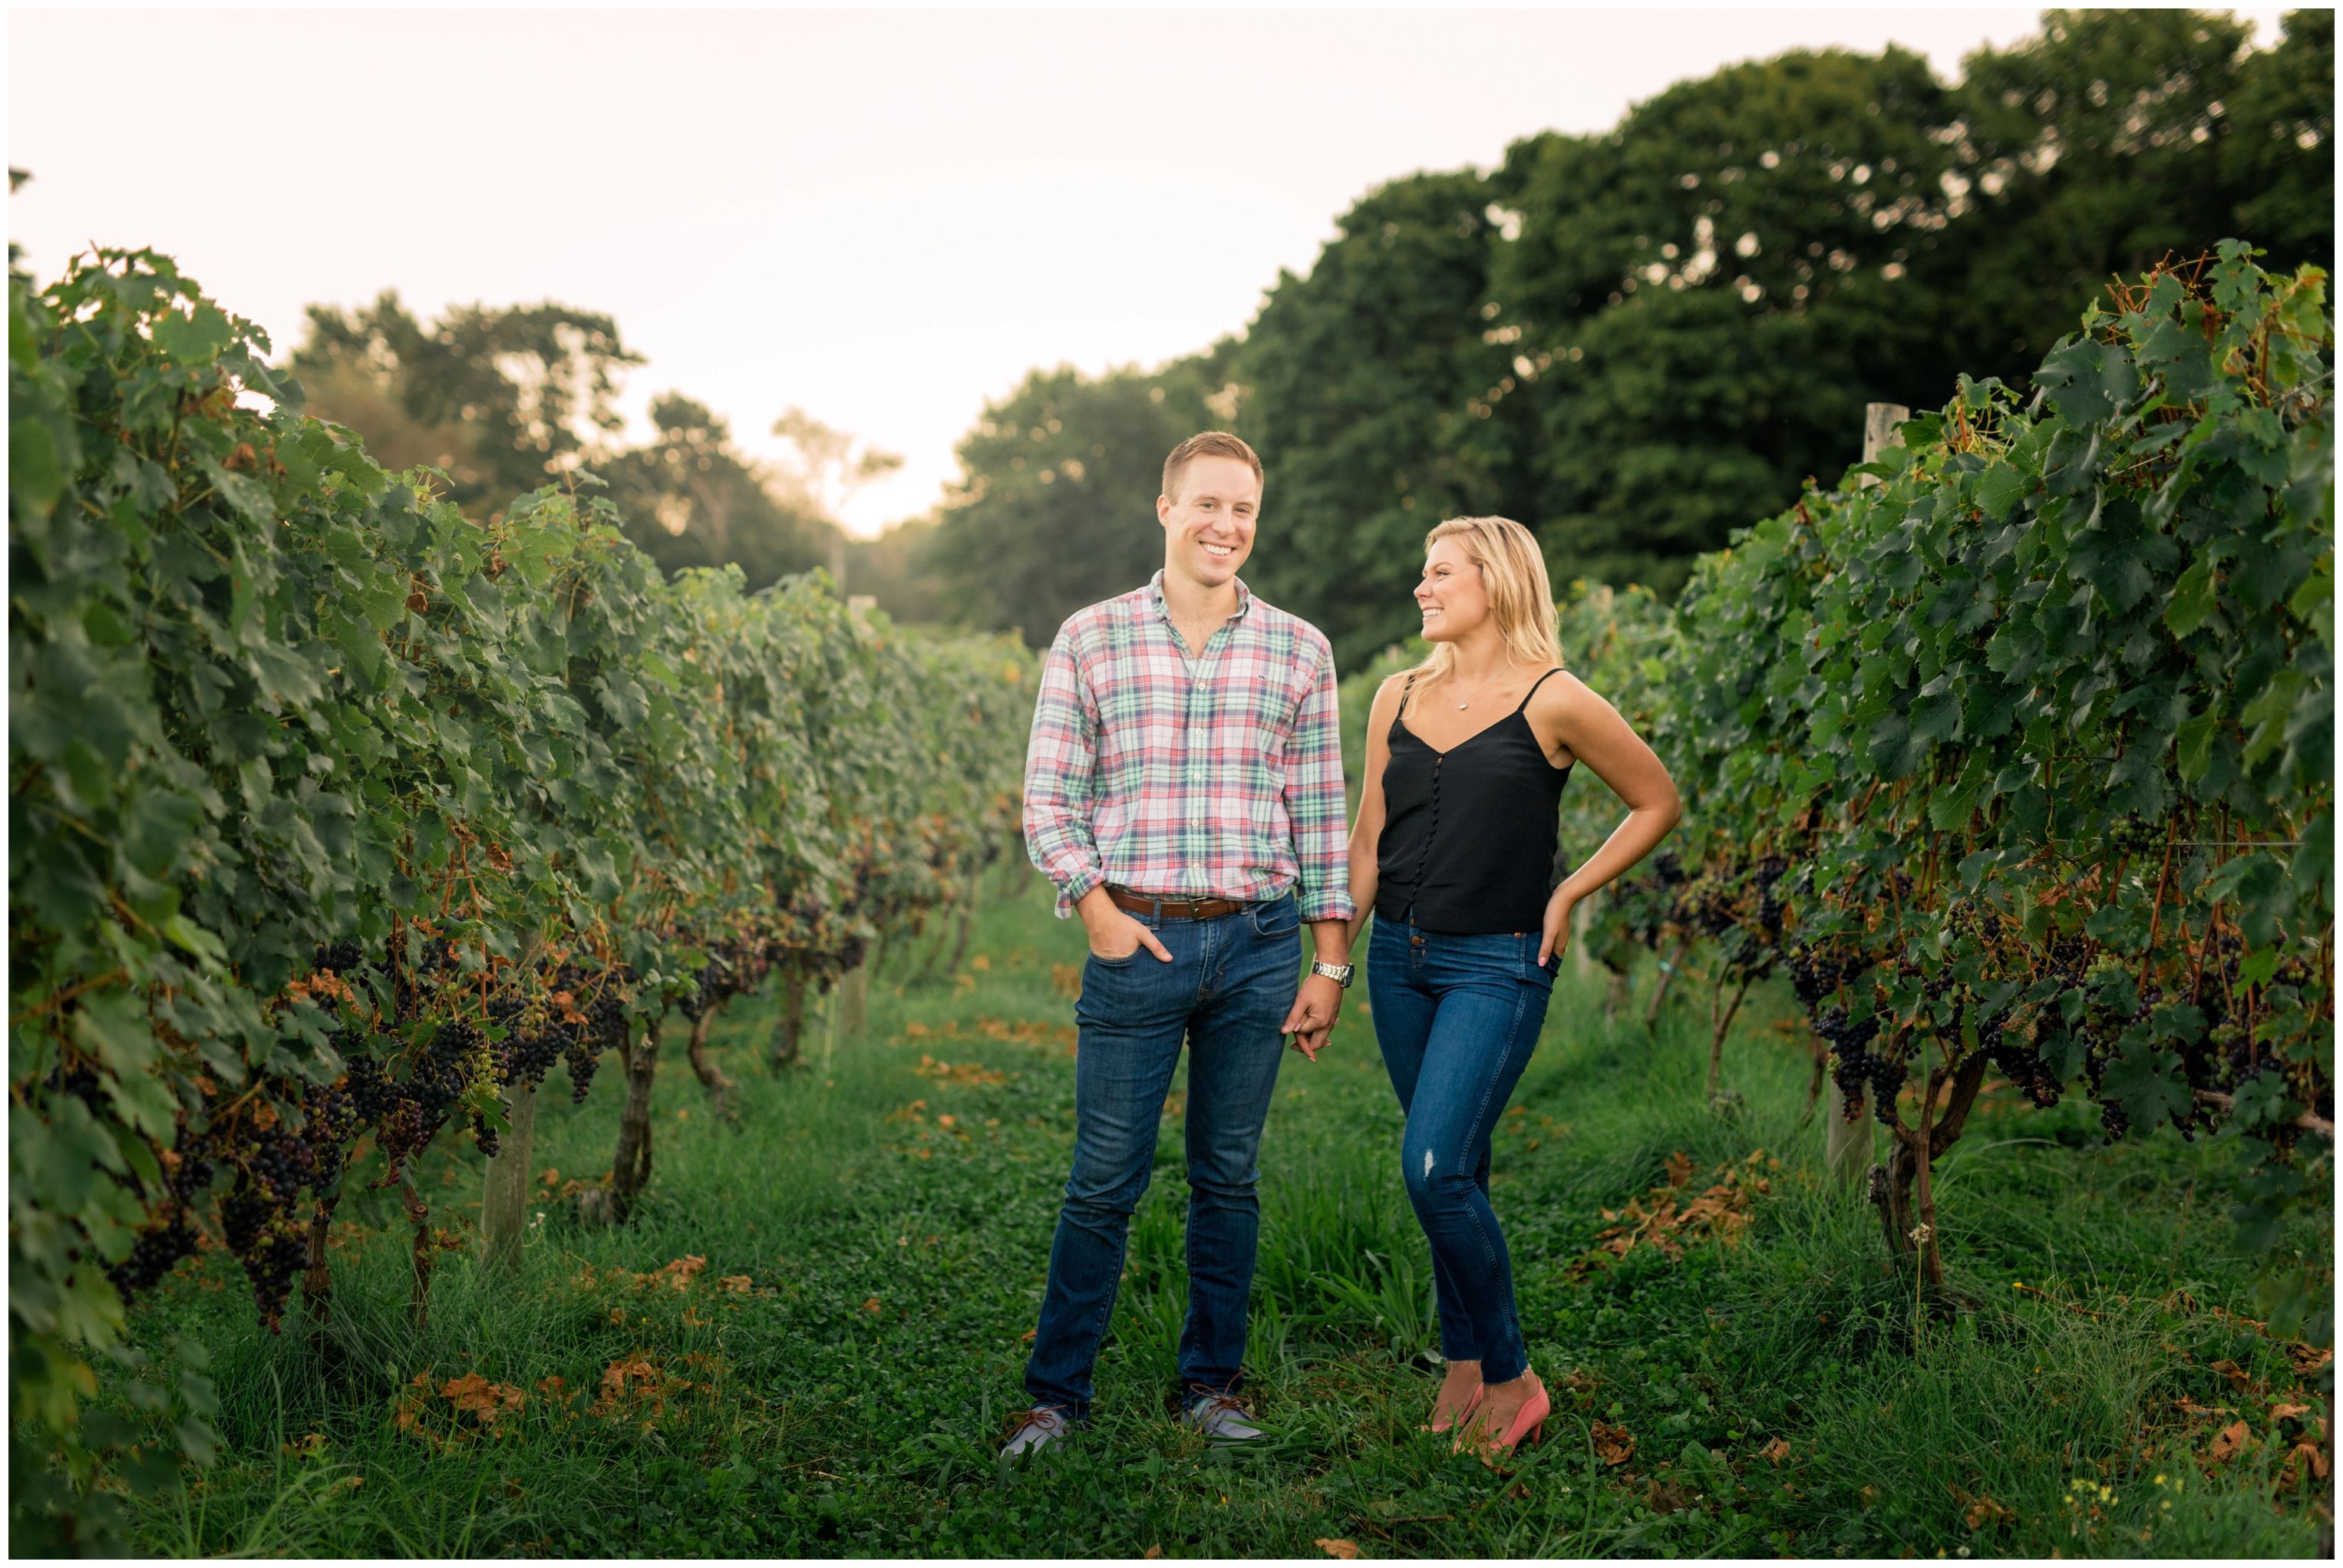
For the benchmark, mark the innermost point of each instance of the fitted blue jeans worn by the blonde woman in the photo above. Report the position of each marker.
(1459, 1018)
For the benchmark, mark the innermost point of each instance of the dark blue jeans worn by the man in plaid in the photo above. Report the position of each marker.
(1227, 993)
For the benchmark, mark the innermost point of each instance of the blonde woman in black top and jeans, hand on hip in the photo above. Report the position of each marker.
(1454, 852)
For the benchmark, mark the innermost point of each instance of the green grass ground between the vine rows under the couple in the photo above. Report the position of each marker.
(852, 1400)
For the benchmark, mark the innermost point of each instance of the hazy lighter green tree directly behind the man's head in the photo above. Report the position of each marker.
(1056, 505)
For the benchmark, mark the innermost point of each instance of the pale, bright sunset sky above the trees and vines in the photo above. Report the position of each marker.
(884, 217)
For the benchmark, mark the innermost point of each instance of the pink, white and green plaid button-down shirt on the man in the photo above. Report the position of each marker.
(1210, 775)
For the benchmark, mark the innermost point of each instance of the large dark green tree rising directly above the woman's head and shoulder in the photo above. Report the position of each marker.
(1702, 301)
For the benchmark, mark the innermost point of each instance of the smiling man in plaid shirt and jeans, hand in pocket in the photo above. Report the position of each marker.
(1184, 791)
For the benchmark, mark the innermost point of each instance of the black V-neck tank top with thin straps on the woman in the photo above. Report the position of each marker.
(1470, 833)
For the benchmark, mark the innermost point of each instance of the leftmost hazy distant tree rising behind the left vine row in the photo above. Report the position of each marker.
(496, 397)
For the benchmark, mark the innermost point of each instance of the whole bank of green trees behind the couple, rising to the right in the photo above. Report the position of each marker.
(1644, 339)
